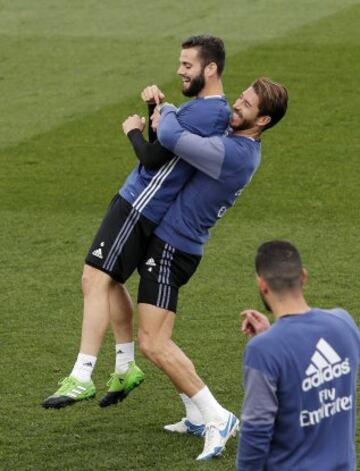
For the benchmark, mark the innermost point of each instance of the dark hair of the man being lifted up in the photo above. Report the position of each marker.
(211, 49)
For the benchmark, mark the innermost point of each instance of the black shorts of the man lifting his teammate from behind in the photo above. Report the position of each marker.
(163, 271)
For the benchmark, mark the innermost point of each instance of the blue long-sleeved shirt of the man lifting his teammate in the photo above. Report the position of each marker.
(225, 166)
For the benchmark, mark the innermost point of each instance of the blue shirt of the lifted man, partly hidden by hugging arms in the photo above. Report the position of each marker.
(151, 192)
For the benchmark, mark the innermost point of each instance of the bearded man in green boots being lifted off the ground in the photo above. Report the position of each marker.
(133, 214)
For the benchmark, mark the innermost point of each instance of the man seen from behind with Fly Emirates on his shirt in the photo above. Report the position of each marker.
(300, 375)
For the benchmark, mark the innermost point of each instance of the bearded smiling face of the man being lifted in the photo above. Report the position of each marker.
(191, 72)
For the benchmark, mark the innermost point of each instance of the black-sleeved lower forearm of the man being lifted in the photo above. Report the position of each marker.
(151, 155)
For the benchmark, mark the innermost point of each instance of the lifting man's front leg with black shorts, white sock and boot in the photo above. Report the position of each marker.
(158, 298)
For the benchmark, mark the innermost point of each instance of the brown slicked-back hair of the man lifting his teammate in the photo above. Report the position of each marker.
(273, 99)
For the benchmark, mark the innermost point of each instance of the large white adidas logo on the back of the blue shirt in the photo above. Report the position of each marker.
(325, 365)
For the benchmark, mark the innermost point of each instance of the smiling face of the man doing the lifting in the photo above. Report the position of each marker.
(245, 111)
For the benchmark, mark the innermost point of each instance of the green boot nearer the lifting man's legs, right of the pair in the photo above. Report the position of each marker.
(121, 385)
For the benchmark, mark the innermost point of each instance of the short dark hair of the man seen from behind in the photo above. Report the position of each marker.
(279, 263)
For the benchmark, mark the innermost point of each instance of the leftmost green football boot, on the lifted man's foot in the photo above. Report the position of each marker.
(70, 391)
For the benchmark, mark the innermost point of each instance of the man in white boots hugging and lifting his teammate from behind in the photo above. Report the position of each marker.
(225, 166)
